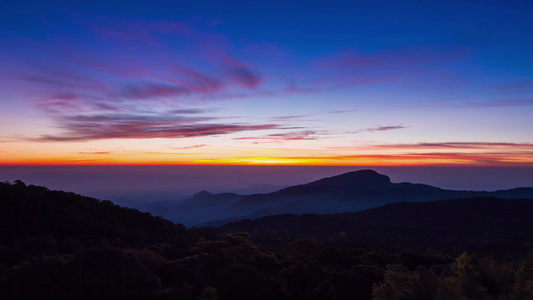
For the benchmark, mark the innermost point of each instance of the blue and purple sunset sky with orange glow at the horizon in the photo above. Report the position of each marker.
(332, 83)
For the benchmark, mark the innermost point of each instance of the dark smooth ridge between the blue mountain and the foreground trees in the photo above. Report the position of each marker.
(479, 223)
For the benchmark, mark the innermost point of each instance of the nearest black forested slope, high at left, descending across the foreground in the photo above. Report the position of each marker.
(57, 245)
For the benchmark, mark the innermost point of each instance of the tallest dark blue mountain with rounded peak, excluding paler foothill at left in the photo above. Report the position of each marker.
(354, 191)
